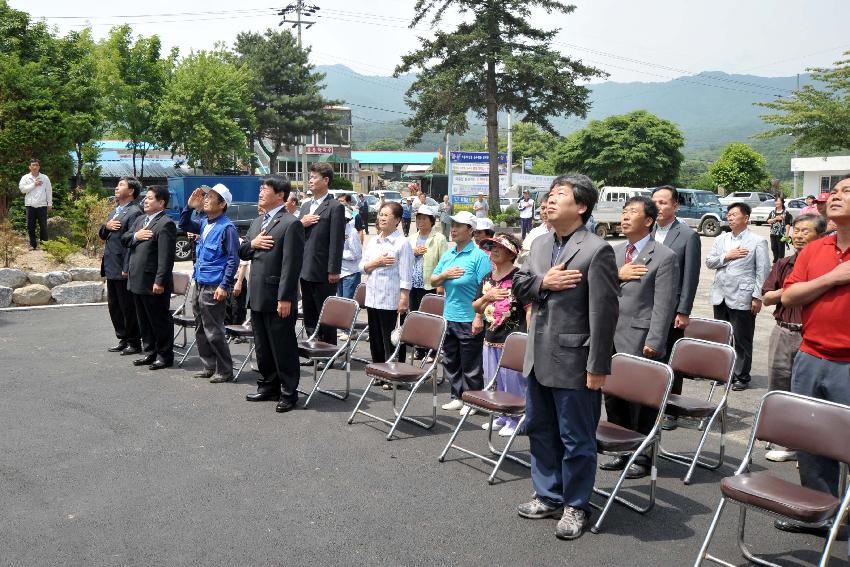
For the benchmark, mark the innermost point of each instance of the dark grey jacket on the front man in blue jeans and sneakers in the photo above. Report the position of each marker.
(571, 331)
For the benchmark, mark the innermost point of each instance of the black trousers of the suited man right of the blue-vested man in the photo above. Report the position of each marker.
(277, 353)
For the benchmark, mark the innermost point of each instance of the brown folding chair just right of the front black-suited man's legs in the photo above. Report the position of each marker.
(339, 313)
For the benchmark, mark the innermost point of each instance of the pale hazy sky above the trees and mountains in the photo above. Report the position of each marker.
(648, 40)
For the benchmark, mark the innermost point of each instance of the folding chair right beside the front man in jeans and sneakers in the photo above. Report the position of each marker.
(645, 382)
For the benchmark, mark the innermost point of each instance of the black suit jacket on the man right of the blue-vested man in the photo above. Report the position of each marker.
(275, 272)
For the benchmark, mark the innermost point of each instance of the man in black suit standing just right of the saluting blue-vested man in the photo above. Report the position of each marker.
(275, 246)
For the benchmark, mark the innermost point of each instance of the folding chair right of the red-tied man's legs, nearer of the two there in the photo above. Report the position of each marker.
(699, 359)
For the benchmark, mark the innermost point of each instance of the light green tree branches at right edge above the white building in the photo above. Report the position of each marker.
(817, 119)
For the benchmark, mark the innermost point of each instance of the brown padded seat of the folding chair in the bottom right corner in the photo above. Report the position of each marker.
(776, 495)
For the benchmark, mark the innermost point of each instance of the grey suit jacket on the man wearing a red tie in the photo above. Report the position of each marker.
(647, 305)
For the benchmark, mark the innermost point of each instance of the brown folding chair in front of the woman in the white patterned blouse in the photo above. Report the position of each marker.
(419, 330)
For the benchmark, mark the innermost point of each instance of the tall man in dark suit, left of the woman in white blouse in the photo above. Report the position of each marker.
(323, 219)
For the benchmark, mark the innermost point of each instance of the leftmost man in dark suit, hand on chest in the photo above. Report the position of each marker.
(122, 309)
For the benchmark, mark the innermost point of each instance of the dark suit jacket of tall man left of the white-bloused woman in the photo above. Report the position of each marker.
(325, 241)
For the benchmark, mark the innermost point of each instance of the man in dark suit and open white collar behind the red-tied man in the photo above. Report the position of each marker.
(685, 243)
